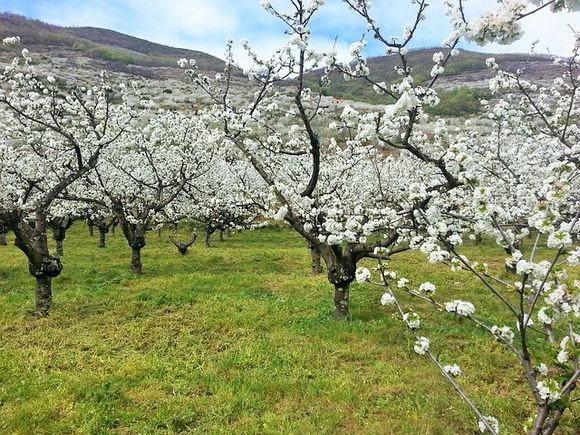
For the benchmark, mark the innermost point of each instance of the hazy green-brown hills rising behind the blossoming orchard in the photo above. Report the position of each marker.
(79, 51)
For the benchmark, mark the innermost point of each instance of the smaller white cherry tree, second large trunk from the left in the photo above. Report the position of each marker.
(142, 179)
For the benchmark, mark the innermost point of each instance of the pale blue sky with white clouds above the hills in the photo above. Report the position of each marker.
(205, 25)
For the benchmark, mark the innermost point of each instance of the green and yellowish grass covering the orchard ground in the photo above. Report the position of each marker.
(237, 338)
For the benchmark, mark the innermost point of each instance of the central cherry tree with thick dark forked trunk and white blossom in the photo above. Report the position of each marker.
(320, 180)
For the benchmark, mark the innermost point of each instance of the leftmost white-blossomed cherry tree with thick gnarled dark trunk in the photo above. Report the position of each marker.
(52, 137)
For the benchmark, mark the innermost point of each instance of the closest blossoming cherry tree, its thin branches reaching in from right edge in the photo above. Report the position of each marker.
(516, 177)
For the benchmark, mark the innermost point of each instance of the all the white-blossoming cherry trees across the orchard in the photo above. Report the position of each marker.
(354, 185)
